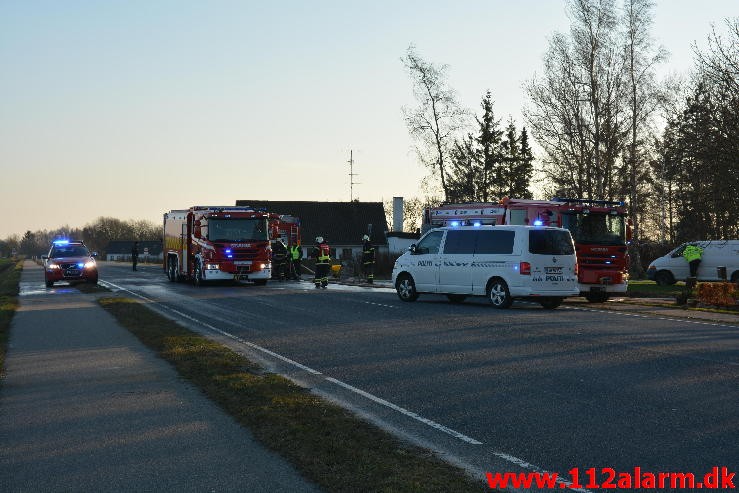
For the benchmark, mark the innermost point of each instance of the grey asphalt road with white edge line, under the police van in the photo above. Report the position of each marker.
(524, 388)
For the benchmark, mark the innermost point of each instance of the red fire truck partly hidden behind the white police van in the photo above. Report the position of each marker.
(599, 228)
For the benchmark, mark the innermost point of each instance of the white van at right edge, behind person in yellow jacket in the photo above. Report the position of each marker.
(716, 253)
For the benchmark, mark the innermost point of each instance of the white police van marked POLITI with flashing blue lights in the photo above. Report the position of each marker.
(500, 262)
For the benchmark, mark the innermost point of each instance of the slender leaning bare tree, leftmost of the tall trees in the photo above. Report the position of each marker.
(437, 118)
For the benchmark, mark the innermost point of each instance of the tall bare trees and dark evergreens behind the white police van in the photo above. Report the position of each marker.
(604, 126)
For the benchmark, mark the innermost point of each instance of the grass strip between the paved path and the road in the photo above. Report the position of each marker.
(329, 445)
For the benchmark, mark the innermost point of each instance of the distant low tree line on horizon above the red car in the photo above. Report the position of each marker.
(96, 236)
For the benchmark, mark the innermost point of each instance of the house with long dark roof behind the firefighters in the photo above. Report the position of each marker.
(342, 224)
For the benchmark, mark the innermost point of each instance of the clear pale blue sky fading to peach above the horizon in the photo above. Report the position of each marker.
(132, 108)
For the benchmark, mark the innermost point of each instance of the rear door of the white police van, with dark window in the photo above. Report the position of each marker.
(552, 260)
